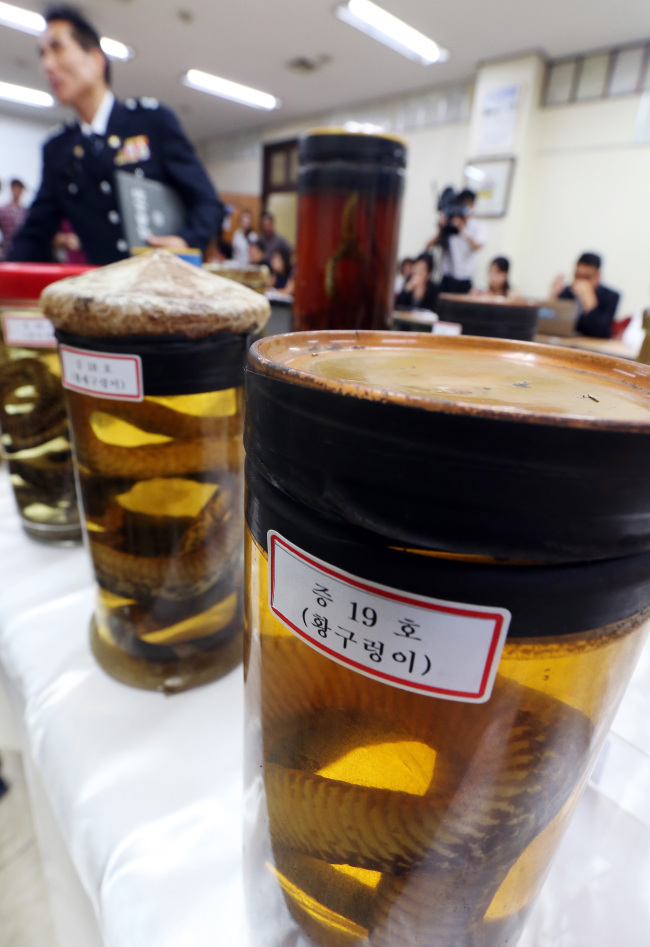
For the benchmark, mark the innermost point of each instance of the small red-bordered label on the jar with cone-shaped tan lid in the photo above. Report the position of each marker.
(117, 377)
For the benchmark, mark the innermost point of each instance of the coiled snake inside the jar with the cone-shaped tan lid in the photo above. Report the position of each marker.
(200, 446)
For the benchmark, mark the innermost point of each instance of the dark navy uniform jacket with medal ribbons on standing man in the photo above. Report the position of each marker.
(142, 137)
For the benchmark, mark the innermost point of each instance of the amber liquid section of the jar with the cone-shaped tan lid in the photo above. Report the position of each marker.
(161, 490)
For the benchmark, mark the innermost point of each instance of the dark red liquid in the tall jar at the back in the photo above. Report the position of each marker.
(346, 253)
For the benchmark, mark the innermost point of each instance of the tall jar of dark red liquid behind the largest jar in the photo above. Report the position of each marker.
(350, 189)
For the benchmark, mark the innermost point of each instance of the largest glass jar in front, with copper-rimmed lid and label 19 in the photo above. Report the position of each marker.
(421, 720)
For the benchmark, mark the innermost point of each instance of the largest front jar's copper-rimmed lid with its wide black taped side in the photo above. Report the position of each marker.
(466, 445)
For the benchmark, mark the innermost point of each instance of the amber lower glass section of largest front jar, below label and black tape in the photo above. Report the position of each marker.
(382, 817)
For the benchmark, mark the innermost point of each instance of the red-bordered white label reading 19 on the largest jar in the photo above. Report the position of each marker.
(449, 650)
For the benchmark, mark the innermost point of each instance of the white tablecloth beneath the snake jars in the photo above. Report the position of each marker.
(146, 790)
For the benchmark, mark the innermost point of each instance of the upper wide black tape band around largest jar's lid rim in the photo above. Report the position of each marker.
(453, 483)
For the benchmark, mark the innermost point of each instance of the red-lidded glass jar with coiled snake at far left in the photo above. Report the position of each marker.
(33, 422)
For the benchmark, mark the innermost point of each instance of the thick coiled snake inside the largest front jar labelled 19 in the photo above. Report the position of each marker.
(500, 777)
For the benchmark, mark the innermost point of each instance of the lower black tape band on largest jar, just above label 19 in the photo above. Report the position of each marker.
(545, 601)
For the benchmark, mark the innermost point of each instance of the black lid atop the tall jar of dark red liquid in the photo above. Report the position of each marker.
(339, 144)
